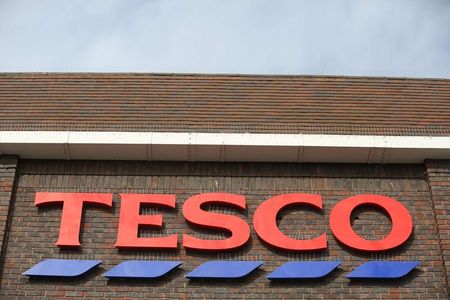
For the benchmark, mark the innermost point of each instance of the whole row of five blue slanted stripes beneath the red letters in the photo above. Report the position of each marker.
(221, 269)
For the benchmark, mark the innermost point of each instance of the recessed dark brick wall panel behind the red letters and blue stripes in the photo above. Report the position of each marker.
(33, 231)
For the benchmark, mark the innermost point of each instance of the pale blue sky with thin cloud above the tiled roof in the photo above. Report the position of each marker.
(401, 38)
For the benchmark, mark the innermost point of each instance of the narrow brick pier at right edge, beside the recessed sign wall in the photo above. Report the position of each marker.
(439, 180)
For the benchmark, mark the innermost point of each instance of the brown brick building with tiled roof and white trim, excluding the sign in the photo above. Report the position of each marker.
(254, 136)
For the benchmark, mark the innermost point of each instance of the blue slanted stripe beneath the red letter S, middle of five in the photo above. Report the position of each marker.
(224, 269)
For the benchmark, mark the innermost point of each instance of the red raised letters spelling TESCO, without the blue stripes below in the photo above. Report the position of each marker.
(264, 220)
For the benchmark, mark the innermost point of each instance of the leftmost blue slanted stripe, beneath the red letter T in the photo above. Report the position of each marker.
(62, 268)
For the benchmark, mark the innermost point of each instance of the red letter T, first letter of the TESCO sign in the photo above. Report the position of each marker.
(69, 231)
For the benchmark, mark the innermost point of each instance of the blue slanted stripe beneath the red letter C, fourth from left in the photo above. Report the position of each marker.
(303, 270)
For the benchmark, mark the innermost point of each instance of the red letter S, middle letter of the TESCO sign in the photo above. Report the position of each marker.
(240, 231)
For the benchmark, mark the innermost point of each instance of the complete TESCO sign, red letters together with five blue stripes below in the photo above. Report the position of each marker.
(264, 224)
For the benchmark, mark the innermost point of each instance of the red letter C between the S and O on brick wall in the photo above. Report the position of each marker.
(265, 224)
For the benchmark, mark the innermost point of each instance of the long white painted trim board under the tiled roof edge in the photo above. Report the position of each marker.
(223, 146)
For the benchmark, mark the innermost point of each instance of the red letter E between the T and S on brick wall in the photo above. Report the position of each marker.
(130, 219)
